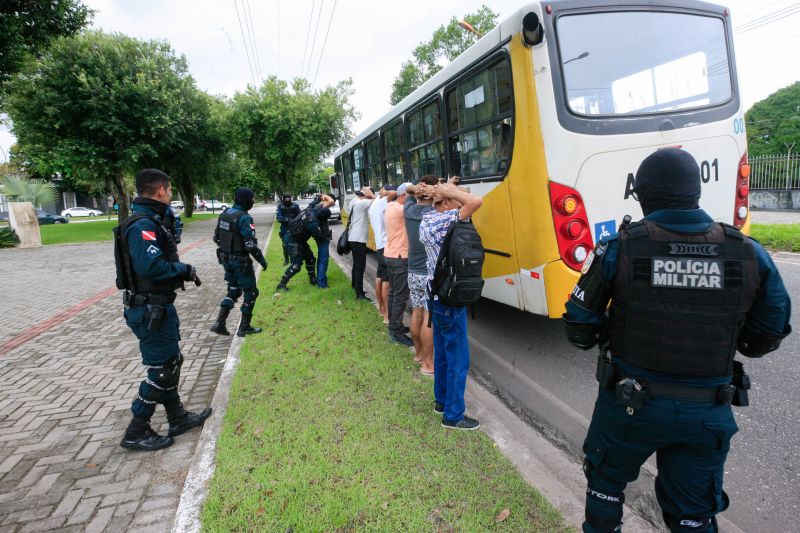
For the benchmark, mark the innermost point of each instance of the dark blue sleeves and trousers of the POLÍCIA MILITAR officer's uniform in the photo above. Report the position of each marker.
(691, 438)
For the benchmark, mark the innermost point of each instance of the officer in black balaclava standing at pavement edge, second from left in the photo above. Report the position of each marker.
(236, 237)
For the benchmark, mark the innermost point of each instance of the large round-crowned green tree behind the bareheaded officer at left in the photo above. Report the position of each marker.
(95, 106)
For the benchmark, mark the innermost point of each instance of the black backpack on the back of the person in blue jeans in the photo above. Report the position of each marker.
(458, 278)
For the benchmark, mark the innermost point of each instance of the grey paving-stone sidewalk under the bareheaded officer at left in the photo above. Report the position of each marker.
(66, 393)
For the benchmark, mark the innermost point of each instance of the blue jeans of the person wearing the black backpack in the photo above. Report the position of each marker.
(450, 358)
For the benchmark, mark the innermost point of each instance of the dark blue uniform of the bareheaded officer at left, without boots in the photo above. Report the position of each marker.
(154, 259)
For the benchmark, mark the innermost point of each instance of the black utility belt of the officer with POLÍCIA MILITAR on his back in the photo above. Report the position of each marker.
(633, 392)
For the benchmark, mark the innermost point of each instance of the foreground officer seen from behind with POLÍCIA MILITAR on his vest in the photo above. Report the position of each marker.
(685, 294)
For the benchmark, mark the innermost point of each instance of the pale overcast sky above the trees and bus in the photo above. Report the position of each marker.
(368, 40)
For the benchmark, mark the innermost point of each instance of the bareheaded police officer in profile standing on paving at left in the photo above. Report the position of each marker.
(149, 270)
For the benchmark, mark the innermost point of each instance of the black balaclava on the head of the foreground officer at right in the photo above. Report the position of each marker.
(668, 179)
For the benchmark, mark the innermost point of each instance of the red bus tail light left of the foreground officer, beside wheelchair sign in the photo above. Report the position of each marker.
(571, 225)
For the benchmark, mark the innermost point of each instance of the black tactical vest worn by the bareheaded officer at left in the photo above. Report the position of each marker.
(126, 274)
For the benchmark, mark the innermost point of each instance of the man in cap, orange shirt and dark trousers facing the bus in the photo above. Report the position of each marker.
(396, 256)
